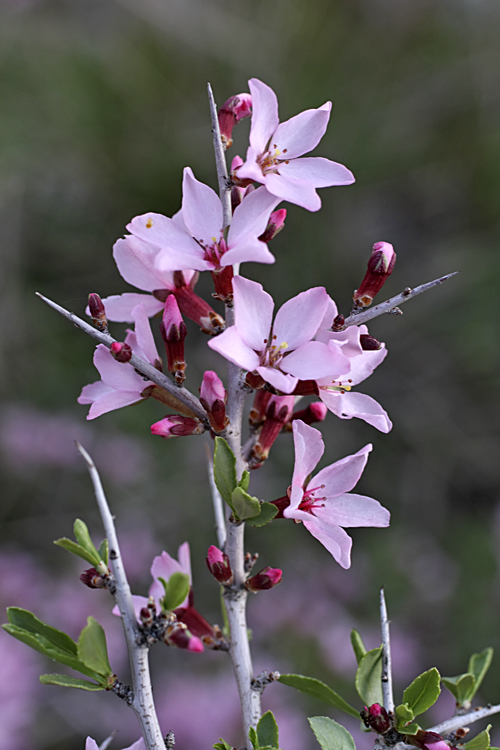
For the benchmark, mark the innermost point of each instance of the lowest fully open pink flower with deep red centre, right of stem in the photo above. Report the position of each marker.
(324, 503)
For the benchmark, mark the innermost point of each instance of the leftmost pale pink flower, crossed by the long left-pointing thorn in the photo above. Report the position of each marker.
(120, 384)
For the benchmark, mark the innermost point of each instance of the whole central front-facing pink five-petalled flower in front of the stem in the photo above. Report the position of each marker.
(286, 353)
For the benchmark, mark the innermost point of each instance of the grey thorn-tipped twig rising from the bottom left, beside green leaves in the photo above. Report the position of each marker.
(142, 703)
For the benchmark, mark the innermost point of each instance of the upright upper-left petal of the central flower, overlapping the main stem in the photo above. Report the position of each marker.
(253, 312)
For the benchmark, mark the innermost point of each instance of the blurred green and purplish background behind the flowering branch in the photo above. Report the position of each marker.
(102, 103)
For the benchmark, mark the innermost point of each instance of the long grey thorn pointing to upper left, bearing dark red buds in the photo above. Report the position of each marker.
(145, 368)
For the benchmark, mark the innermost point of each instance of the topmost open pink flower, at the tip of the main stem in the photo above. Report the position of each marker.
(272, 158)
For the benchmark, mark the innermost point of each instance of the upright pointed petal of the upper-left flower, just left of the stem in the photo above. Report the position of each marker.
(201, 209)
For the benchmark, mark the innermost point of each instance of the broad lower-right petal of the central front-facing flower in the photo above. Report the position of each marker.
(315, 360)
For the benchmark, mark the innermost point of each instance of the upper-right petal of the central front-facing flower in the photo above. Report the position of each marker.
(298, 319)
